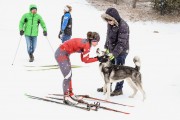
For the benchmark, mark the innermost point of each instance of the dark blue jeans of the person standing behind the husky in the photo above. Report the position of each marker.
(120, 60)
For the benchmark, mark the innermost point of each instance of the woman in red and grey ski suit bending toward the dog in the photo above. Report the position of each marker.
(62, 54)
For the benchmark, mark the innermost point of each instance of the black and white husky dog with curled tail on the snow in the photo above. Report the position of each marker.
(116, 73)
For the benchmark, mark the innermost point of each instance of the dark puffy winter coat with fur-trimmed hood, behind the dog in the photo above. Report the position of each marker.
(117, 39)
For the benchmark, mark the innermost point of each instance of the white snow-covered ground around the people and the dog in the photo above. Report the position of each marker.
(159, 53)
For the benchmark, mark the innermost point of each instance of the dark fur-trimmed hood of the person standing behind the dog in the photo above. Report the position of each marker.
(112, 14)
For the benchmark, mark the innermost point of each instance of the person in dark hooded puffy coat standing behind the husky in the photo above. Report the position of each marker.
(117, 42)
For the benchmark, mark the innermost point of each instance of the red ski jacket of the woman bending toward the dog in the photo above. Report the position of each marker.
(78, 45)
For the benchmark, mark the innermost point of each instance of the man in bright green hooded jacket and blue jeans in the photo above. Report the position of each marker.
(28, 26)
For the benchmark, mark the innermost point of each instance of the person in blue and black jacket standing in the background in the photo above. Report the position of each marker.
(66, 25)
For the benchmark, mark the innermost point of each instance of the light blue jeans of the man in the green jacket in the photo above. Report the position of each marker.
(31, 42)
